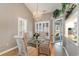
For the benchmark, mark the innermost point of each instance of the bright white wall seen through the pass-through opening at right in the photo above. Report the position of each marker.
(70, 23)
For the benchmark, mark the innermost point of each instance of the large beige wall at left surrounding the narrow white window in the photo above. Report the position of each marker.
(9, 14)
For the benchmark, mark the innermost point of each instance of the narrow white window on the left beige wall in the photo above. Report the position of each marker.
(22, 26)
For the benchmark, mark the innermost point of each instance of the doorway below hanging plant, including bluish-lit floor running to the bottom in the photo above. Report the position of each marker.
(57, 35)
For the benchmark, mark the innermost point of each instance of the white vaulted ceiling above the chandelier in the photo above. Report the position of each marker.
(43, 7)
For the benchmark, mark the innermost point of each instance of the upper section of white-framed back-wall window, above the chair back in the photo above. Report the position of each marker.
(42, 26)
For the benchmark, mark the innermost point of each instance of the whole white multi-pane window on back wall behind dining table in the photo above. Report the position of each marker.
(43, 27)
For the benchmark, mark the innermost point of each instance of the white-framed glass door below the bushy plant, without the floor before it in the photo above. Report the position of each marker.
(57, 31)
